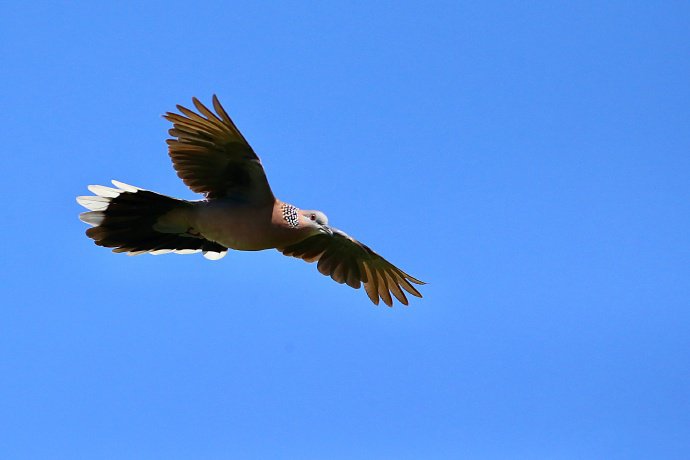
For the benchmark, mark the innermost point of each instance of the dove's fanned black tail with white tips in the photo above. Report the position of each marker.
(135, 221)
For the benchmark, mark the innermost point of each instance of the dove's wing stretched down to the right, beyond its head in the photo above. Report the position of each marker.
(346, 260)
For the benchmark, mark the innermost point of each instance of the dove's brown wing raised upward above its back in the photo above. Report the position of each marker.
(212, 157)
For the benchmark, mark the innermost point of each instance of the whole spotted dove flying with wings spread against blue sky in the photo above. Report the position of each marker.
(239, 211)
